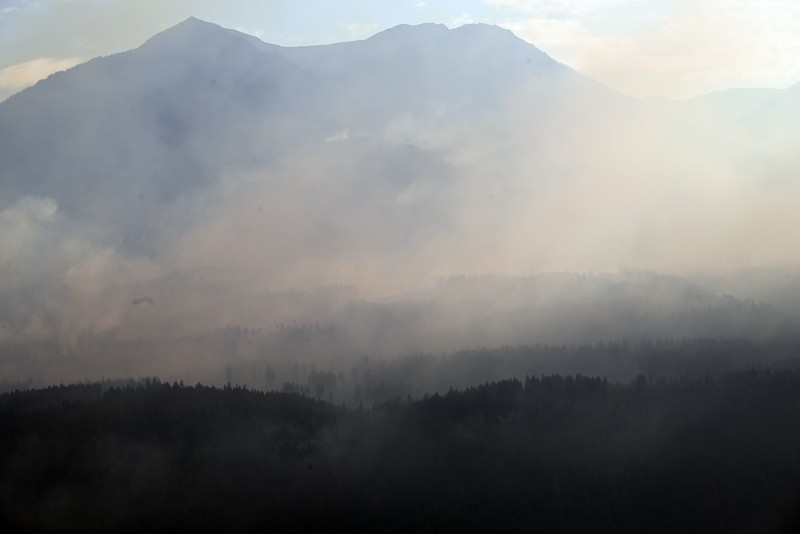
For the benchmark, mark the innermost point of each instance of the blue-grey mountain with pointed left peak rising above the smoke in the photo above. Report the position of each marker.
(125, 134)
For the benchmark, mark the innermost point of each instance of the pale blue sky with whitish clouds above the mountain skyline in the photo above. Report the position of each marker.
(674, 48)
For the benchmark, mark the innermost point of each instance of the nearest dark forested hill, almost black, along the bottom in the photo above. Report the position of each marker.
(553, 453)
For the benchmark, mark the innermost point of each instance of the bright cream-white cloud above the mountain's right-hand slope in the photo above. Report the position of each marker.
(687, 49)
